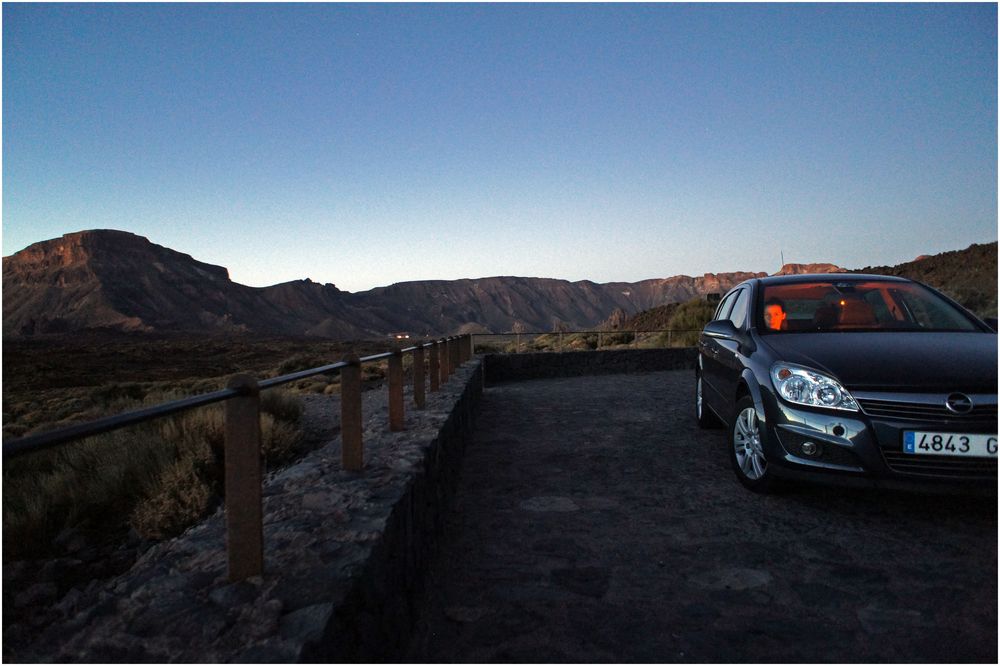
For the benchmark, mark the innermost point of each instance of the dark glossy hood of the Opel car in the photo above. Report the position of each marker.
(905, 361)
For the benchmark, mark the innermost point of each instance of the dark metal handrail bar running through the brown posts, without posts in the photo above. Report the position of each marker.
(53, 438)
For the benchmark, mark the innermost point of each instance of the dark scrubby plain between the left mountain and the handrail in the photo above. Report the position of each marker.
(57, 380)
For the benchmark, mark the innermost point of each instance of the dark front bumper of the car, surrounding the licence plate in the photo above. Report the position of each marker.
(867, 446)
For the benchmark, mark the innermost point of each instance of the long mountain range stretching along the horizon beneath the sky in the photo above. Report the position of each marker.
(114, 280)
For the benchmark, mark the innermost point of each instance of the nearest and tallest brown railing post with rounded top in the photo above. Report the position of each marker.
(244, 515)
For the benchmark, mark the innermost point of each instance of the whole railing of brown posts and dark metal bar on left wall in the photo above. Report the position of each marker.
(242, 448)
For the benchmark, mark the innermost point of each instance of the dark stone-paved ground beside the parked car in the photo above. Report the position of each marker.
(595, 522)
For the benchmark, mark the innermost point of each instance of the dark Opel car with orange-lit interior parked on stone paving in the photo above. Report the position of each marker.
(850, 378)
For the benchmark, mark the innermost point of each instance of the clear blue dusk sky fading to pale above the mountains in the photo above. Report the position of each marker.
(364, 145)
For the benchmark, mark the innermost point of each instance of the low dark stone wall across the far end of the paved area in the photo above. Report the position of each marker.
(544, 365)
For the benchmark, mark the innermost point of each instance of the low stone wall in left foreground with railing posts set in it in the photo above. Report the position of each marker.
(344, 557)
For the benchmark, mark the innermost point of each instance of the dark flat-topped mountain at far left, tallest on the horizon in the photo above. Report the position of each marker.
(113, 280)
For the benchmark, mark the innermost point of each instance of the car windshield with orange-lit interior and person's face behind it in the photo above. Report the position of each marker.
(849, 305)
